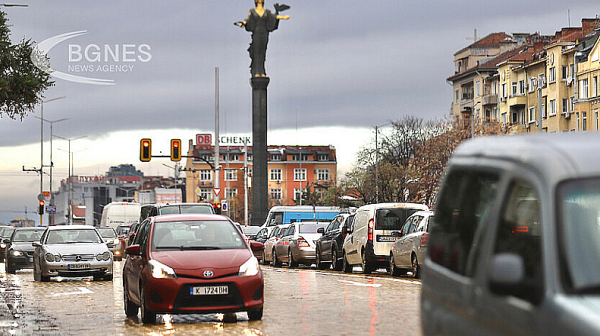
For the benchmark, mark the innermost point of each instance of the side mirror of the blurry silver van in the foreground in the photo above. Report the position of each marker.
(507, 274)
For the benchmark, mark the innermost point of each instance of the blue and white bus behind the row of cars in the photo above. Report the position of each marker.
(290, 214)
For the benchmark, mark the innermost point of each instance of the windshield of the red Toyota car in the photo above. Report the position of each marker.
(196, 235)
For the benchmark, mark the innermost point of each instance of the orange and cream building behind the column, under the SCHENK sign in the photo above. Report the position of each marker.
(290, 169)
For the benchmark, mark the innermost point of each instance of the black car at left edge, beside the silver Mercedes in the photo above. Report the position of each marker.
(19, 251)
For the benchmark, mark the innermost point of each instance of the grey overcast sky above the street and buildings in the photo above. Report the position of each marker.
(337, 68)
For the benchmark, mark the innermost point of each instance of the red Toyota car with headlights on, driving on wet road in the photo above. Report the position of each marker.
(191, 264)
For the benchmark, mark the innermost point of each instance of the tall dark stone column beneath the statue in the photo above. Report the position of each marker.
(260, 202)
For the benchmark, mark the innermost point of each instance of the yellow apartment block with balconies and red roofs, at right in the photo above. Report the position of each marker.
(535, 67)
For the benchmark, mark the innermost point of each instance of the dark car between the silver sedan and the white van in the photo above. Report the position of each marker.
(329, 245)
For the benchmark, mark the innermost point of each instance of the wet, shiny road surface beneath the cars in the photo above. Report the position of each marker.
(300, 301)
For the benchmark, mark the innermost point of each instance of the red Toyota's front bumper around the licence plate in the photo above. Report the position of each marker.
(174, 295)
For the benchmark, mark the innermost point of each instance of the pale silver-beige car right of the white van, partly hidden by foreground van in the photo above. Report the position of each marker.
(409, 250)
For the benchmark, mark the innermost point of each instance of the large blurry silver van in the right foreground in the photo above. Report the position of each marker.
(513, 247)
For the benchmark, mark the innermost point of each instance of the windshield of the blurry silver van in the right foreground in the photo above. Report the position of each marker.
(579, 204)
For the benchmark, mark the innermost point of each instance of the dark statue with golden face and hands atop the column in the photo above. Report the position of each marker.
(260, 22)
